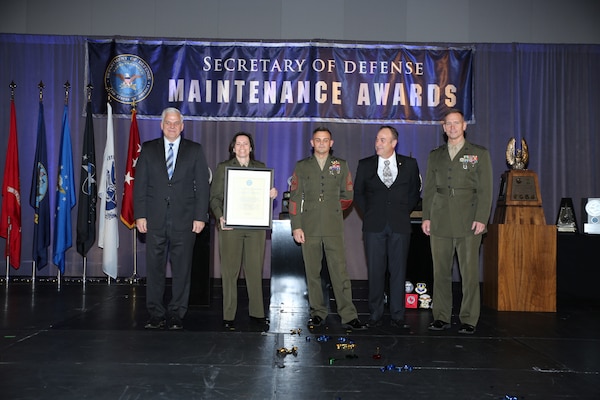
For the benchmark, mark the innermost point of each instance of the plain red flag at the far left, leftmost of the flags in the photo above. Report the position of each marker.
(11, 195)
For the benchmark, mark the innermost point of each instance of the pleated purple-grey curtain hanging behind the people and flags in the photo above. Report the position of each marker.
(547, 94)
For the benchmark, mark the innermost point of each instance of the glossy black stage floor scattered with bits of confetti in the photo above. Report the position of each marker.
(87, 342)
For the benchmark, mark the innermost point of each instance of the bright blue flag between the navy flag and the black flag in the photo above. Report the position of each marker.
(65, 197)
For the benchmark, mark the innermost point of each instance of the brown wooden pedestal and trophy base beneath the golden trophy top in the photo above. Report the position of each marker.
(520, 249)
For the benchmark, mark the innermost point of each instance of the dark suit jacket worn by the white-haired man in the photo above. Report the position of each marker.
(185, 194)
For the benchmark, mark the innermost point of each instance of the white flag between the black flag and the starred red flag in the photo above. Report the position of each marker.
(108, 232)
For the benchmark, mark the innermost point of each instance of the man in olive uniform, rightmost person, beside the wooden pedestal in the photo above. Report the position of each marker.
(457, 199)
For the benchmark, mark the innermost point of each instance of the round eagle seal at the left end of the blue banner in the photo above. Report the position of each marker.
(128, 79)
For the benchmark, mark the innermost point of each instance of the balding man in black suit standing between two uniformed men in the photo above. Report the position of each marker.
(386, 190)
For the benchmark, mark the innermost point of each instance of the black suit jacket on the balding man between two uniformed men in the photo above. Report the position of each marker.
(378, 203)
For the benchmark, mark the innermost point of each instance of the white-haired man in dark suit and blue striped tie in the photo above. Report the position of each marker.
(171, 206)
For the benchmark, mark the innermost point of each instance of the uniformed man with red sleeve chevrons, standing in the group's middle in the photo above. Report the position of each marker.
(321, 190)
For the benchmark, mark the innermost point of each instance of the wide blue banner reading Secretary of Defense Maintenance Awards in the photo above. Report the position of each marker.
(282, 81)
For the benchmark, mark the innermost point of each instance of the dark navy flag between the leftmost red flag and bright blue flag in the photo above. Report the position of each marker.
(38, 197)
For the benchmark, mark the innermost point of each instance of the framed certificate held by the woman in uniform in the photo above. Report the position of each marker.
(247, 202)
